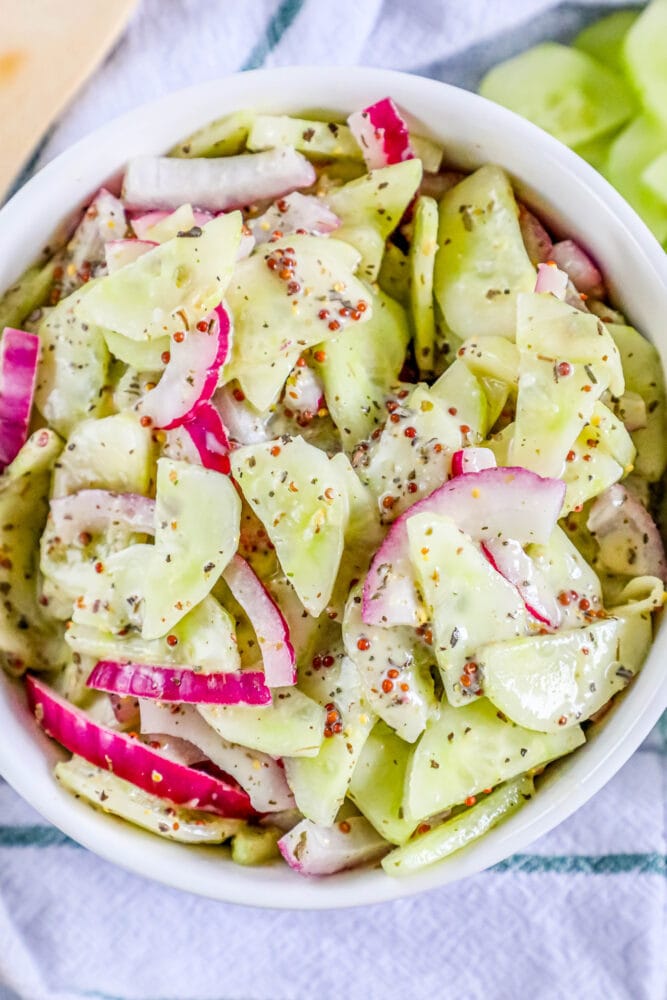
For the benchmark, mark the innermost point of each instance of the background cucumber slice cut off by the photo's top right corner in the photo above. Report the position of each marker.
(645, 61)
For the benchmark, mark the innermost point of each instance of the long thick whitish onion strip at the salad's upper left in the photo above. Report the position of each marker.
(217, 184)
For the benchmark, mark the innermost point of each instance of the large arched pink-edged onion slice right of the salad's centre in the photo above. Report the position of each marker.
(496, 503)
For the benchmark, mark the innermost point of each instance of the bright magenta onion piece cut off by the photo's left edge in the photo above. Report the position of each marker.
(19, 353)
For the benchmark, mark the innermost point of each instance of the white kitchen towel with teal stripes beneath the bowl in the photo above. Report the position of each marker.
(582, 914)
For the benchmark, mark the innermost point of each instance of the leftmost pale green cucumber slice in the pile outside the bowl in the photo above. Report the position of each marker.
(563, 90)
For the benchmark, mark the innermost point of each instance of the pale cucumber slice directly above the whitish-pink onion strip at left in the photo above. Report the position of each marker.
(114, 453)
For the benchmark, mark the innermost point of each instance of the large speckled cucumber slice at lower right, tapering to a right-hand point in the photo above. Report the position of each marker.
(468, 750)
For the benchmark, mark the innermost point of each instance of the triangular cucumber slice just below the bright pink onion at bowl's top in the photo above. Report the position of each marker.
(371, 207)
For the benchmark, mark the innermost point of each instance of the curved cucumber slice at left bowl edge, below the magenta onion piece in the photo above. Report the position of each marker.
(27, 638)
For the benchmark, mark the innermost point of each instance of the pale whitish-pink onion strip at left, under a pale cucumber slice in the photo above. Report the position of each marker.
(97, 510)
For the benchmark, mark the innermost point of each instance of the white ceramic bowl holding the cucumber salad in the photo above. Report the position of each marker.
(575, 201)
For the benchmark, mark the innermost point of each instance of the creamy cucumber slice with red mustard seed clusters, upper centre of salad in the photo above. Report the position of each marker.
(272, 326)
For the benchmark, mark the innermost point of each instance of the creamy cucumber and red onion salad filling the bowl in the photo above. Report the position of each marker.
(328, 495)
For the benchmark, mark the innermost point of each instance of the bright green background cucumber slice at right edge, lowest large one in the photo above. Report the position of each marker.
(630, 154)
